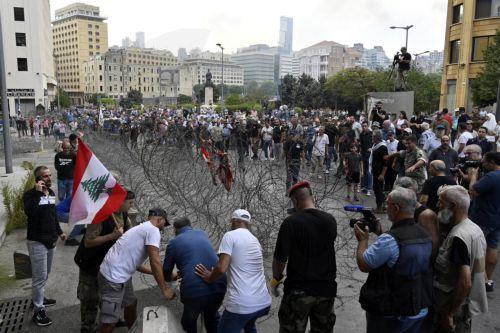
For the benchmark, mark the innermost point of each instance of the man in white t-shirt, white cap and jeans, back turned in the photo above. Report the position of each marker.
(240, 254)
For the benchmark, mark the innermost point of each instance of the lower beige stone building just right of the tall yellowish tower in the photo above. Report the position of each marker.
(121, 70)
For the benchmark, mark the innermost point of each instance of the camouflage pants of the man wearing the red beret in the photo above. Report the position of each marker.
(297, 308)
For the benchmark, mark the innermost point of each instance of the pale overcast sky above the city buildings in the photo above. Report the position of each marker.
(236, 23)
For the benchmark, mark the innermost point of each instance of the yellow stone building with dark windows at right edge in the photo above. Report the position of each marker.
(470, 27)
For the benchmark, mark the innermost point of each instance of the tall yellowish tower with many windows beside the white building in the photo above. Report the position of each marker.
(79, 32)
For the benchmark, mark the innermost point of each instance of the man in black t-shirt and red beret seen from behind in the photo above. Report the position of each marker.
(306, 246)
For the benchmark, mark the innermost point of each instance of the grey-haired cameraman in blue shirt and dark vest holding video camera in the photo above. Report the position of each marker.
(397, 293)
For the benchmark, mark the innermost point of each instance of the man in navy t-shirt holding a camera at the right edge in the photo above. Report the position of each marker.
(486, 208)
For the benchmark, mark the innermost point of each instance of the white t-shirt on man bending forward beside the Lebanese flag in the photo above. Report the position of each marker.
(129, 252)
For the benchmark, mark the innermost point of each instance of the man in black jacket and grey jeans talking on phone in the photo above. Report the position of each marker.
(43, 230)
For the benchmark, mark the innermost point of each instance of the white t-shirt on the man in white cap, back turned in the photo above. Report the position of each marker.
(246, 290)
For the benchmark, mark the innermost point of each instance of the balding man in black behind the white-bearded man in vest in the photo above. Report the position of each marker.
(429, 197)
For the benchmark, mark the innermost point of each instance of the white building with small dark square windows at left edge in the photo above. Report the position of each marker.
(29, 66)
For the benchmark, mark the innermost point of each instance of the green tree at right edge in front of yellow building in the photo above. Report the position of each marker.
(484, 86)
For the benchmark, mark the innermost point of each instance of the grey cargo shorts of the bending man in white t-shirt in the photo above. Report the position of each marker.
(114, 297)
